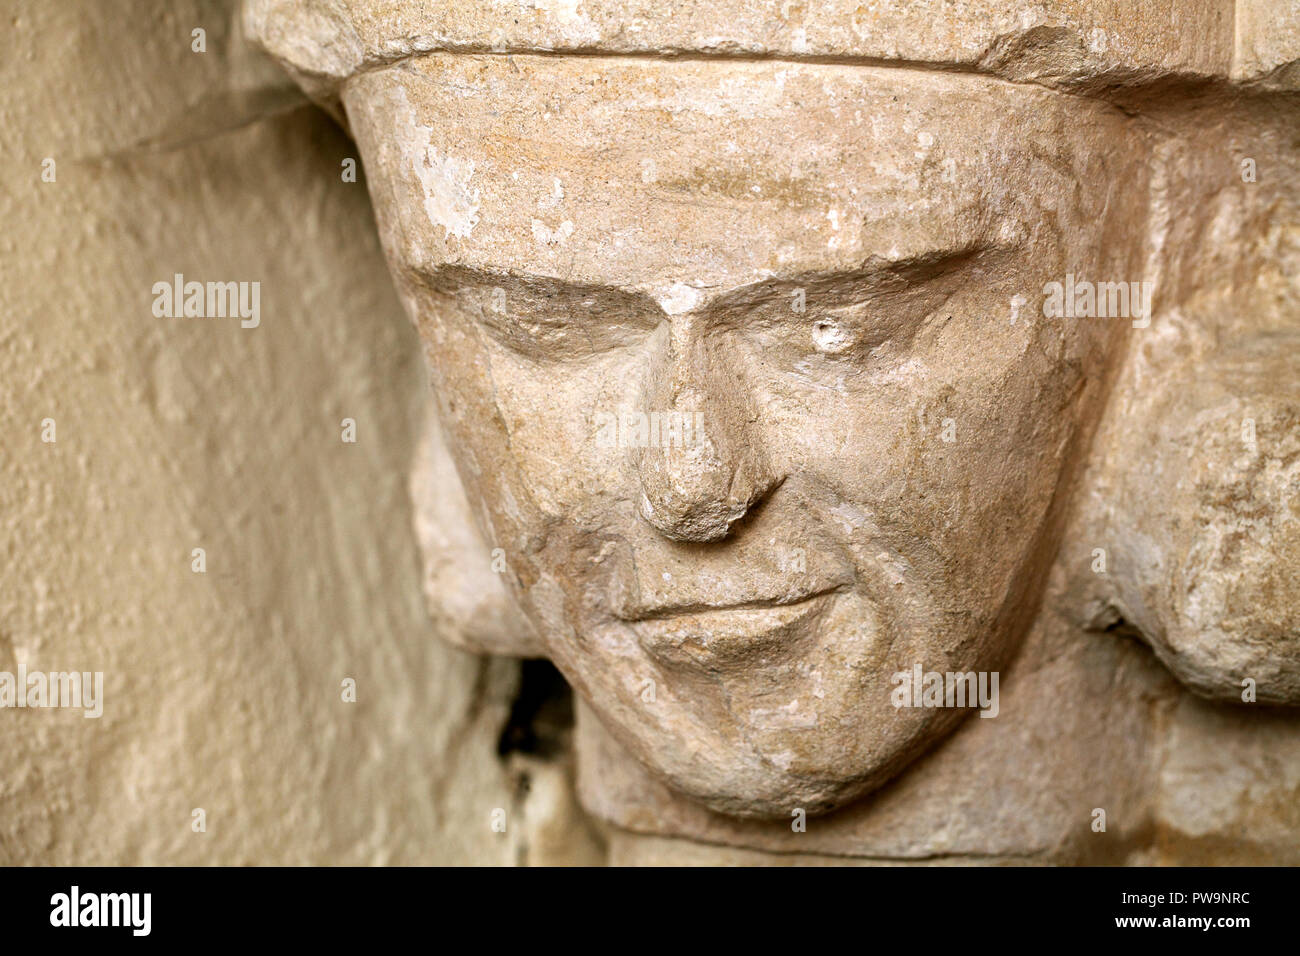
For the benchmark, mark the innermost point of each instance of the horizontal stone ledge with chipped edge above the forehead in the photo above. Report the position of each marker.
(1056, 42)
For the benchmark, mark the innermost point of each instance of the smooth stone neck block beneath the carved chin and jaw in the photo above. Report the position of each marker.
(1077, 728)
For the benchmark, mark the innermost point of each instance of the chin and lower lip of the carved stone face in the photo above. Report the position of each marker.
(760, 712)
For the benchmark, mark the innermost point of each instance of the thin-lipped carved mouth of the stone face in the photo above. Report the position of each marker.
(752, 633)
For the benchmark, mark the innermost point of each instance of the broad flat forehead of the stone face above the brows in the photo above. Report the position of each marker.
(686, 180)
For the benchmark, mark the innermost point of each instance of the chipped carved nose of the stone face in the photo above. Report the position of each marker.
(703, 469)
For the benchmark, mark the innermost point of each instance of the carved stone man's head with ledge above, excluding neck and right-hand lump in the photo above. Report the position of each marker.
(747, 357)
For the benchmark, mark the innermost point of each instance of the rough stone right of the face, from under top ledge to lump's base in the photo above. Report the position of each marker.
(1194, 491)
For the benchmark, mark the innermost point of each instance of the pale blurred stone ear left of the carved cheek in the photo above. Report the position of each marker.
(465, 581)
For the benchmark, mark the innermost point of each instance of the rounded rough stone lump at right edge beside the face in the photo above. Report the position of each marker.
(1199, 524)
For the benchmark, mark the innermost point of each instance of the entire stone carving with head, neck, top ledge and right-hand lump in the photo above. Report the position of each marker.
(792, 357)
